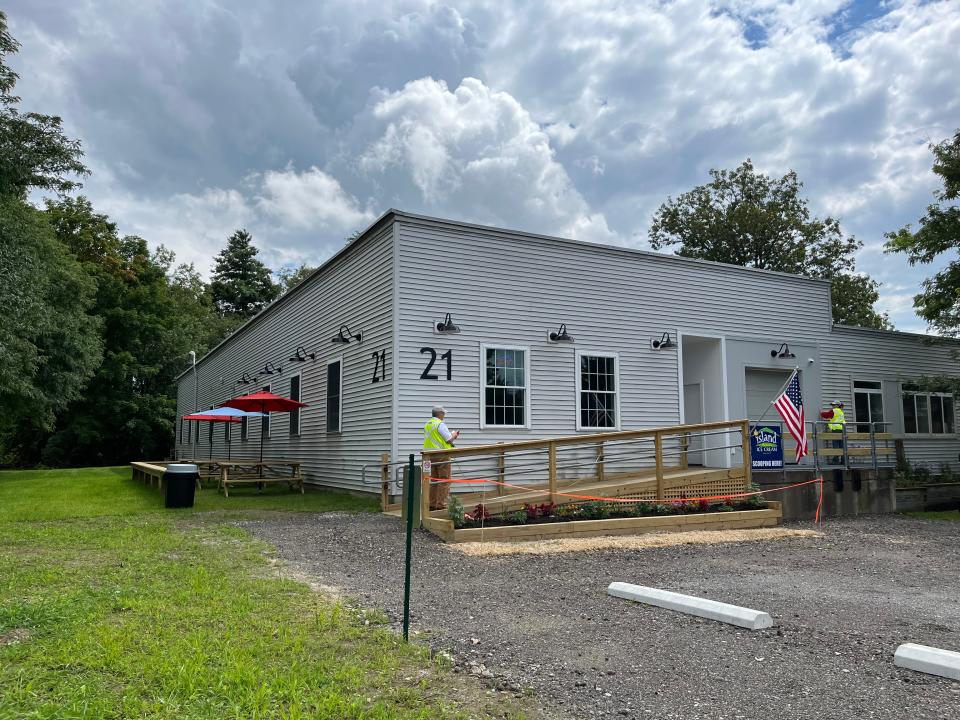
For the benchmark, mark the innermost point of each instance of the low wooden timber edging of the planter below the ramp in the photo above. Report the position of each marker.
(770, 516)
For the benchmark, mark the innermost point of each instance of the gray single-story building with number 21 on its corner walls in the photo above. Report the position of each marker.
(524, 336)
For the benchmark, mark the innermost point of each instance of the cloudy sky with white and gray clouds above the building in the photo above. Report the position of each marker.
(303, 121)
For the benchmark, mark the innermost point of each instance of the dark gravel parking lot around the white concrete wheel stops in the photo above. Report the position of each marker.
(841, 603)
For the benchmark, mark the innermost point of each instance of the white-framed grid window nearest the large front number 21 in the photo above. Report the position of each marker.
(505, 387)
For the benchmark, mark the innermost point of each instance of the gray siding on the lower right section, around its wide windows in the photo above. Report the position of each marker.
(892, 358)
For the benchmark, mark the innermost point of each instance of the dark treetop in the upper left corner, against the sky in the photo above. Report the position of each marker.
(34, 150)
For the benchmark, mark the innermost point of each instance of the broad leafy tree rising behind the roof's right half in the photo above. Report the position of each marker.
(747, 218)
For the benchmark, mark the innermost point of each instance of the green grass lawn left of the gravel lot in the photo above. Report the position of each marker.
(112, 607)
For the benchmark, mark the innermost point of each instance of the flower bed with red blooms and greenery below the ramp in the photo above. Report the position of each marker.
(478, 516)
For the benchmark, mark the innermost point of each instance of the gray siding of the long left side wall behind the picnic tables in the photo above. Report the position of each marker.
(356, 289)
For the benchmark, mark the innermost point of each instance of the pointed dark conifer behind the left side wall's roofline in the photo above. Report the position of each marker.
(241, 284)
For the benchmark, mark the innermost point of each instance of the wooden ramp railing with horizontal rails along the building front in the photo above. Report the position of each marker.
(650, 464)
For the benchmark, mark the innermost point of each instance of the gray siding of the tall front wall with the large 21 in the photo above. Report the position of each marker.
(512, 289)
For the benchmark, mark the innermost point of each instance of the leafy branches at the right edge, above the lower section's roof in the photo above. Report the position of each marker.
(939, 233)
